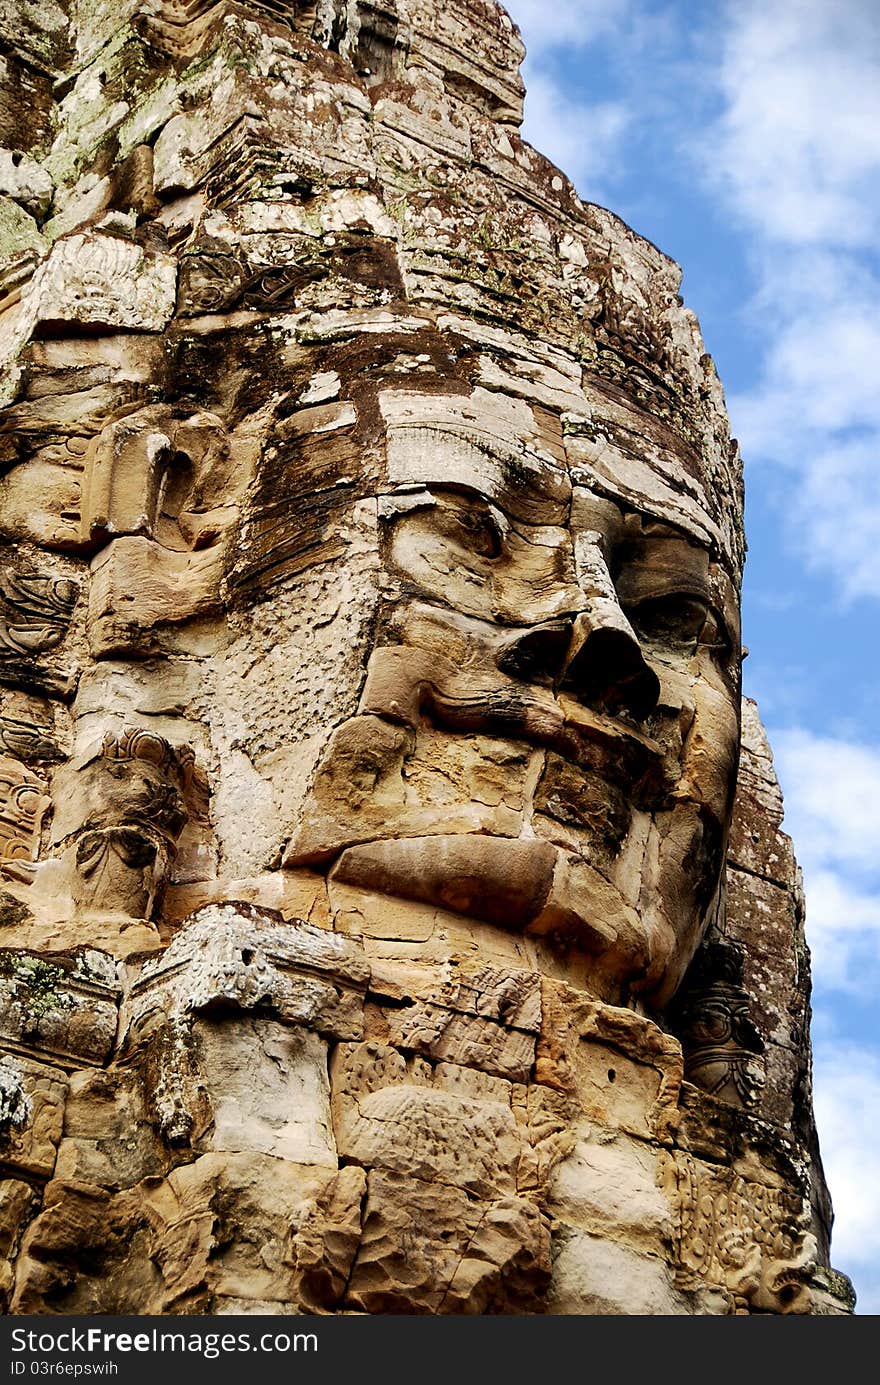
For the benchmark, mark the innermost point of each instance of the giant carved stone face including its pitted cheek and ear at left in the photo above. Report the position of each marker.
(509, 679)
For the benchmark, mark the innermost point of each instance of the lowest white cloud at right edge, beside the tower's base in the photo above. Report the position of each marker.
(847, 1099)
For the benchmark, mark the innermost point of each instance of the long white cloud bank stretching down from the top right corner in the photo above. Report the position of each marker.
(796, 156)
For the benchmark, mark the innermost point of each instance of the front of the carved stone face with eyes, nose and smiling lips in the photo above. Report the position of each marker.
(547, 736)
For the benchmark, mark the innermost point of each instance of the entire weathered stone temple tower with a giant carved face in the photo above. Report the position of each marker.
(396, 915)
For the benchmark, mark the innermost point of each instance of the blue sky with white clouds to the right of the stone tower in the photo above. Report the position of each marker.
(745, 141)
